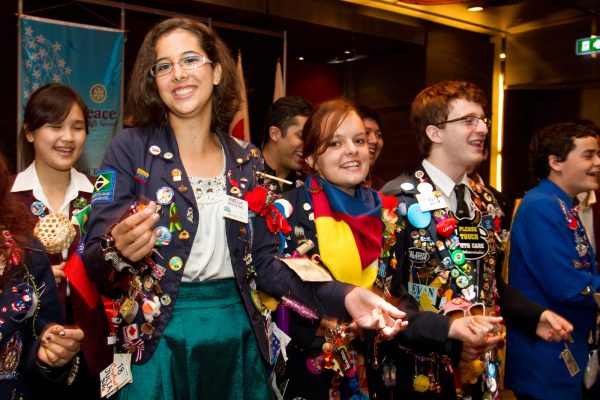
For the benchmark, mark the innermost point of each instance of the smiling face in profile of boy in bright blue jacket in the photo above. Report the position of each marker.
(579, 171)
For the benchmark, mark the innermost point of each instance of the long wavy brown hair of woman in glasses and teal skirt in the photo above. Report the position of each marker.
(144, 105)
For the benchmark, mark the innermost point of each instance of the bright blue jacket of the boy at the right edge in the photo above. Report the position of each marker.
(546, 265)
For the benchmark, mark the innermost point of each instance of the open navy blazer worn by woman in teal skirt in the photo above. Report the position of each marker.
(249, 244)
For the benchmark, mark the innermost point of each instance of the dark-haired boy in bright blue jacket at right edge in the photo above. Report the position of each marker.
(552, 262)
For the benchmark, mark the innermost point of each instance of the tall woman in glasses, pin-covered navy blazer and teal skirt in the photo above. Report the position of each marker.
(188, 270)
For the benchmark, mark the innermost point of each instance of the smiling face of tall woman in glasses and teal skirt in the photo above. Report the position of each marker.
(186, 93)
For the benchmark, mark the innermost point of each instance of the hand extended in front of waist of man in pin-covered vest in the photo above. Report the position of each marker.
(478, 333)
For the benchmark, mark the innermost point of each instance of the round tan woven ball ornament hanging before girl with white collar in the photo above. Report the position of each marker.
(55, 232)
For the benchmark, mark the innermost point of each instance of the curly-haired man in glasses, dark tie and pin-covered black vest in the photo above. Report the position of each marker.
(448, 250)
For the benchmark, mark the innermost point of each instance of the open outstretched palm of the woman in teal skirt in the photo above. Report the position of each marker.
(370, 311)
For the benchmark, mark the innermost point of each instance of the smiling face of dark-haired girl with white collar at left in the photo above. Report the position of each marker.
(59, 145)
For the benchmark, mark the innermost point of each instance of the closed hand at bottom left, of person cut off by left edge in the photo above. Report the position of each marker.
(59, 345)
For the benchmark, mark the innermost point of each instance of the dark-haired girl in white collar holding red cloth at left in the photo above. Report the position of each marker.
(52, 138)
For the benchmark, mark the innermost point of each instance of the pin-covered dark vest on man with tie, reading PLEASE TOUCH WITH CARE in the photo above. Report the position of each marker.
(450, 257)
